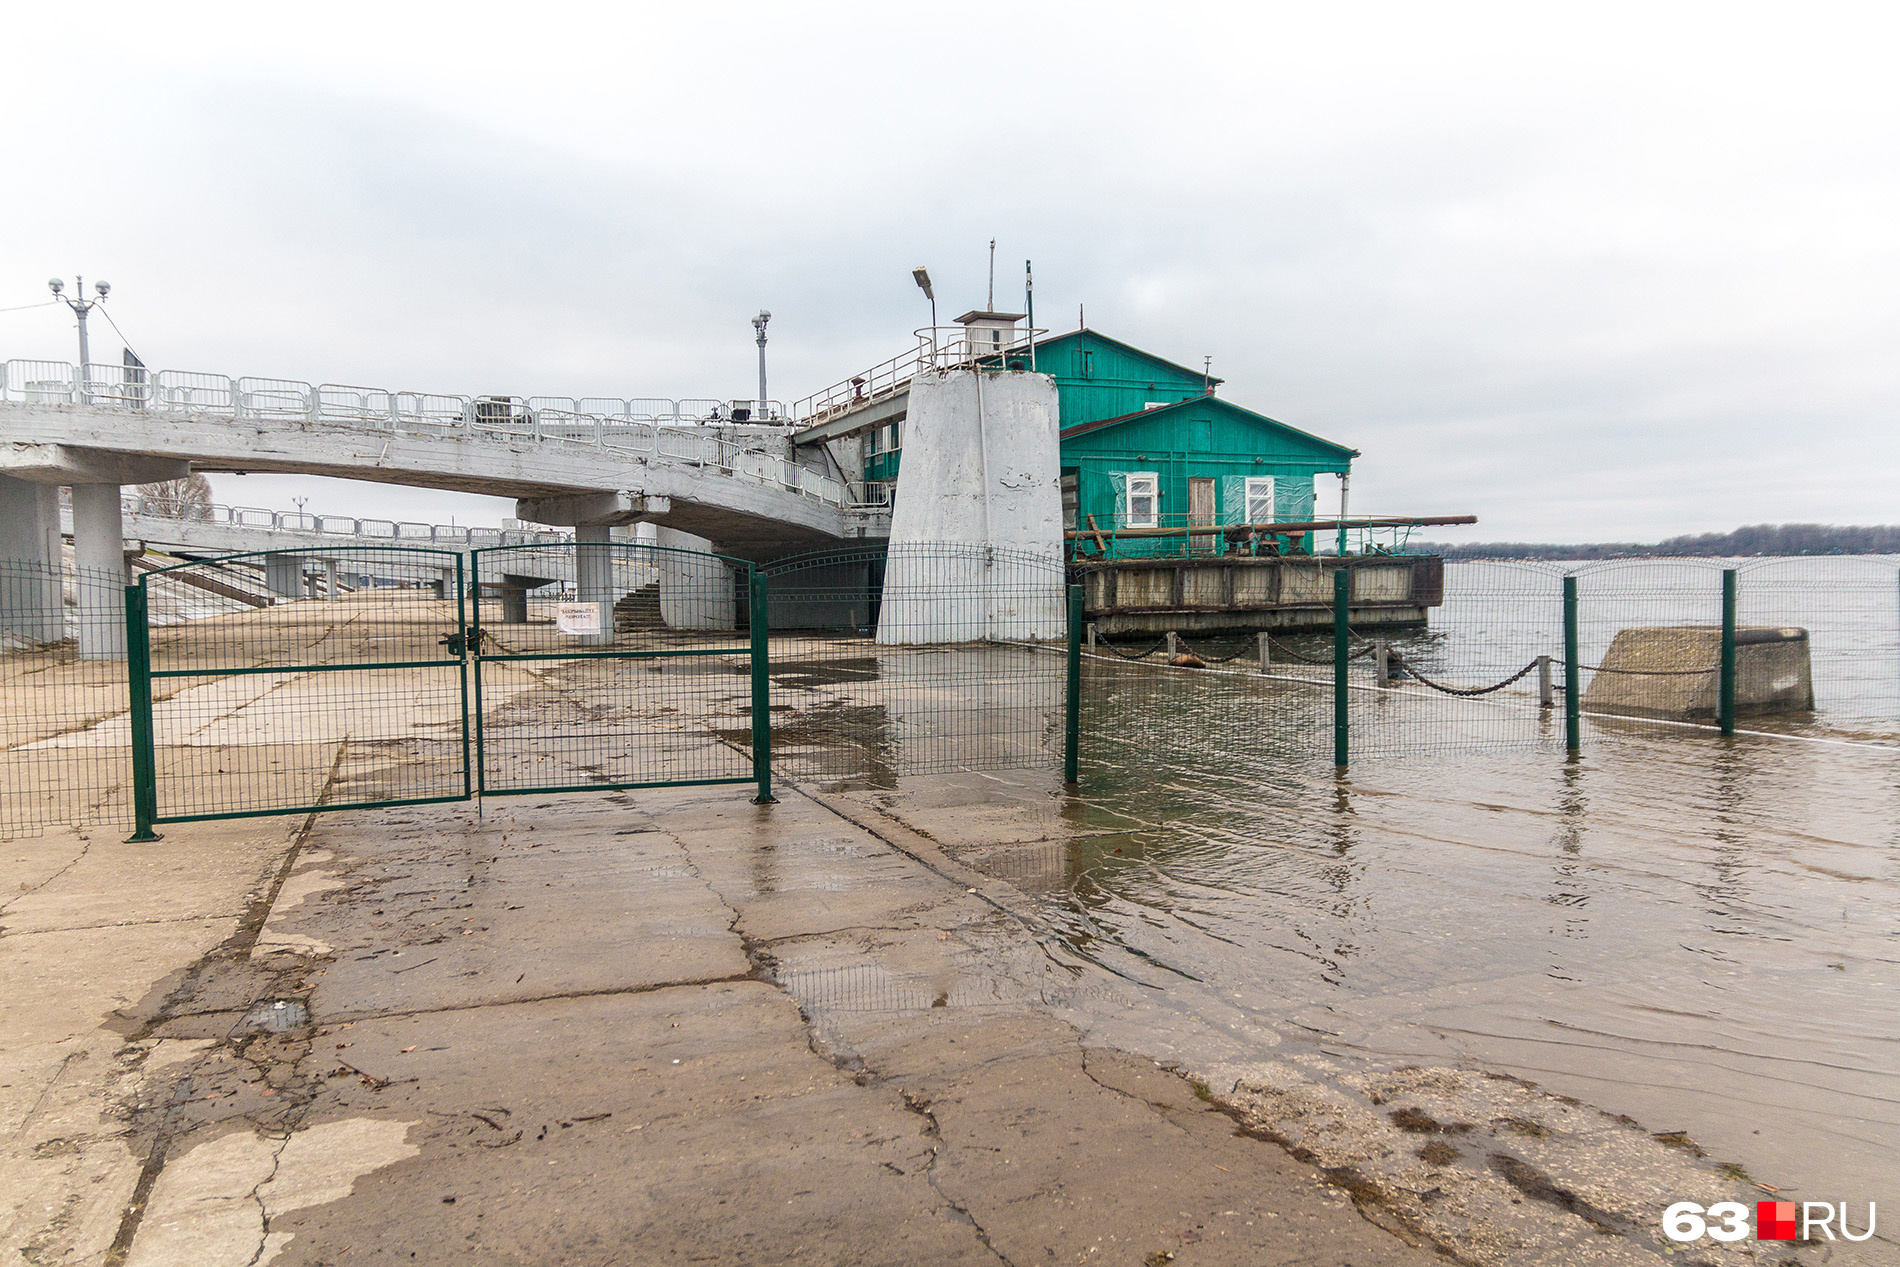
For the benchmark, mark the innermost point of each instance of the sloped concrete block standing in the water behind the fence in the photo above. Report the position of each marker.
(1675, 673)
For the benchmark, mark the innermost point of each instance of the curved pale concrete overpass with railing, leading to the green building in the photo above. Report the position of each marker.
(98, 428)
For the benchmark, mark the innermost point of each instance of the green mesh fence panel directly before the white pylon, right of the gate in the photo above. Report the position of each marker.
(917, 660)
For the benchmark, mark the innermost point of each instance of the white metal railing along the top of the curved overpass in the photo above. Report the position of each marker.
(647, 428)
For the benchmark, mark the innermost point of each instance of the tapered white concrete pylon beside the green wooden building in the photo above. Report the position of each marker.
(978, 527)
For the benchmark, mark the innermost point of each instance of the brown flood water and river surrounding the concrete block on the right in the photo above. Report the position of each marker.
(1698, 932)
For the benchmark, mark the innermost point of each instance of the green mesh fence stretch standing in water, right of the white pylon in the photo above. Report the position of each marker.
(1544, 656)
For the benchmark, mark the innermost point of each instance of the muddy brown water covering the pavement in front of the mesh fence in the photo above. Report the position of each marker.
(1694, 932)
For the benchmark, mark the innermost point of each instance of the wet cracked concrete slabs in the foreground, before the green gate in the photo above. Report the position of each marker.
(577, 1032)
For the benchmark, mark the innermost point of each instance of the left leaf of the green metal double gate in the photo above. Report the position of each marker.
(288, 681)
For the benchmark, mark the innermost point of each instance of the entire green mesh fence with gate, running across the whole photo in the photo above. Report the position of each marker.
(580, 666)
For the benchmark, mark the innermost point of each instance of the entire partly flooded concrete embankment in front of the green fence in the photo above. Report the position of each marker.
(1215, 1008)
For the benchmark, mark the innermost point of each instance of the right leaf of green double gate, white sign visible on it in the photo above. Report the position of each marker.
(618, 666)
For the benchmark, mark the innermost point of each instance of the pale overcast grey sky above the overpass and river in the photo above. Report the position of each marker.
(1591, 273)
